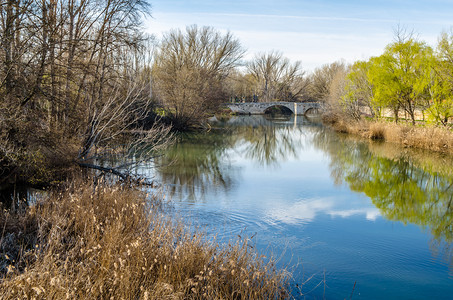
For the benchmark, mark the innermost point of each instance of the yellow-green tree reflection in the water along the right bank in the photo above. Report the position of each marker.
(403, 184)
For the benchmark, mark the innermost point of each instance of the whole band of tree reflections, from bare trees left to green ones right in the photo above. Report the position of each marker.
(405, 185)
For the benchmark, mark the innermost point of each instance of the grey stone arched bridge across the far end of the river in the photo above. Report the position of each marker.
(257, 108)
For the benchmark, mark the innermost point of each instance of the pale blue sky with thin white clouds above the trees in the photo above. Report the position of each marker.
(315, 32)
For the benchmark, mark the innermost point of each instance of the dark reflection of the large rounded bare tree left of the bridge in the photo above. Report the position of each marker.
(197, 164)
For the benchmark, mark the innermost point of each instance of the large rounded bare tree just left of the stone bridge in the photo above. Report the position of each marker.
(189, 70)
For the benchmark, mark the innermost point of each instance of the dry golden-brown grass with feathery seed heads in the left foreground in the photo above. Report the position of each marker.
(112, 243)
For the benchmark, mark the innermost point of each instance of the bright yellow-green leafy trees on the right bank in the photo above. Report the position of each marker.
(408, 76)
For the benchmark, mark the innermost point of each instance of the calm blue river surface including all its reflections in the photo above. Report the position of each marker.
(336, 210)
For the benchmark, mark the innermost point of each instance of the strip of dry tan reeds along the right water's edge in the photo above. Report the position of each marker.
(418, 136)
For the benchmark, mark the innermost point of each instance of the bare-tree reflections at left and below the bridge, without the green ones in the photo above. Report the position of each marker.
(200, 162)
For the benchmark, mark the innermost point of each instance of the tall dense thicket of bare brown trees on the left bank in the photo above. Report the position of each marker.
(75, 73)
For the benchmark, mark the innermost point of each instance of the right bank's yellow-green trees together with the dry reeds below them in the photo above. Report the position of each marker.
(403, 96)
